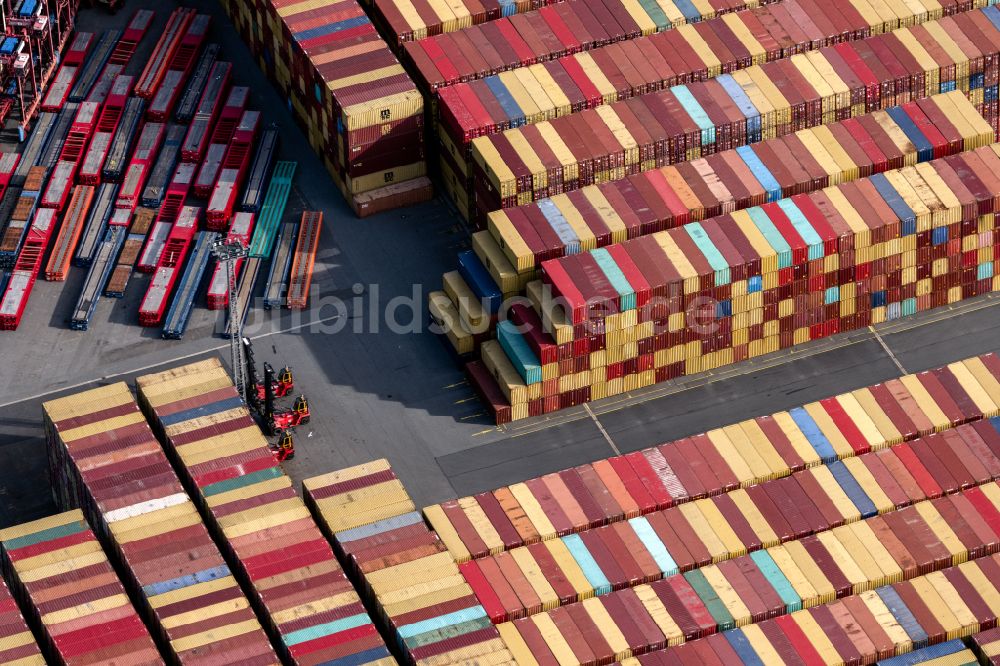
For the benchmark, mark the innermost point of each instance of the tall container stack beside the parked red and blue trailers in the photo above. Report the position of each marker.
(361, 111)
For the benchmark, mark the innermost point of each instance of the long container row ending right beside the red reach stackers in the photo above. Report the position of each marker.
(307, 602)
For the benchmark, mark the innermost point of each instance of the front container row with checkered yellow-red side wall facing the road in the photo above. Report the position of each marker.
(740, 285)
